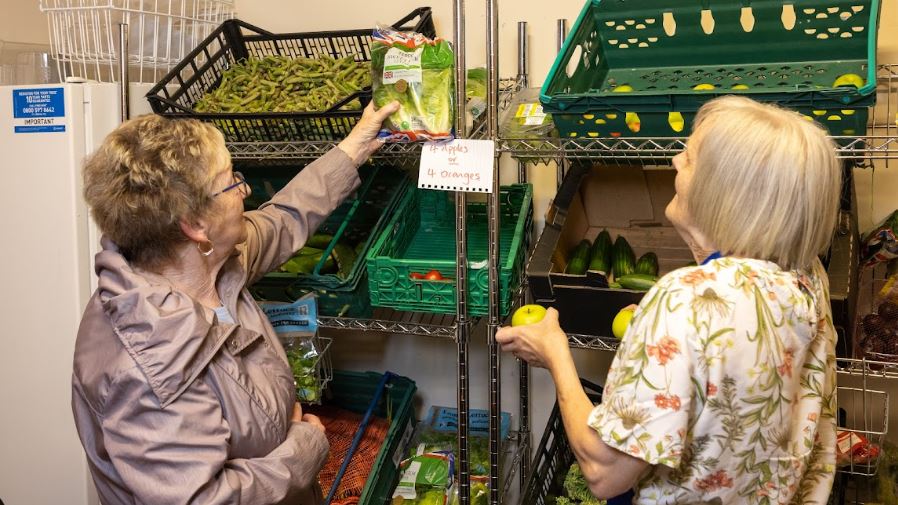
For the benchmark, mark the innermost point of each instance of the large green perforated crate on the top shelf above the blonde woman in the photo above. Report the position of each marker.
(642, 68)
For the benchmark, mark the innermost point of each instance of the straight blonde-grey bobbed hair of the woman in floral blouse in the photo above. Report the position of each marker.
(766, 182)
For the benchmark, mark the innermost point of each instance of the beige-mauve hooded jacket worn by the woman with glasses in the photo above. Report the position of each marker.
(173, 406)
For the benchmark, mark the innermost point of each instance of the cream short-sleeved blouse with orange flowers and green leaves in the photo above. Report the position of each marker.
(725, 383)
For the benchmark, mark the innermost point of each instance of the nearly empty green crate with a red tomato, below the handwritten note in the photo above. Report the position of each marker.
(421, 237)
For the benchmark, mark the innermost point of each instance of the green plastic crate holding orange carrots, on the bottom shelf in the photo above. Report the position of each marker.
(353, 391)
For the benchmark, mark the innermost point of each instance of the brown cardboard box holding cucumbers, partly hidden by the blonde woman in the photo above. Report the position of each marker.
(630, 201)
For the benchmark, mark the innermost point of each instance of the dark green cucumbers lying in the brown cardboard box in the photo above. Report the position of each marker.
(617, 261)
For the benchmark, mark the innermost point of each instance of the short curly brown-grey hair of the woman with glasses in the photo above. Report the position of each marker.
(148, 174)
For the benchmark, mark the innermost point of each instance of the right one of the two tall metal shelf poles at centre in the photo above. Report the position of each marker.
(493, 217)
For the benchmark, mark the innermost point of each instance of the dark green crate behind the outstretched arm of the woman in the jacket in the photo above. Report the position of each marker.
(357, 221)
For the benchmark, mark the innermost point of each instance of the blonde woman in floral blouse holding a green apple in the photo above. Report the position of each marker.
(723, 388)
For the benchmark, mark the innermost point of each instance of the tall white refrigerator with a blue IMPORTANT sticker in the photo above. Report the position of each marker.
(46, 274)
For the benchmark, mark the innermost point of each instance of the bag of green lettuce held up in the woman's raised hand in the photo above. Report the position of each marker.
(419, 73)
